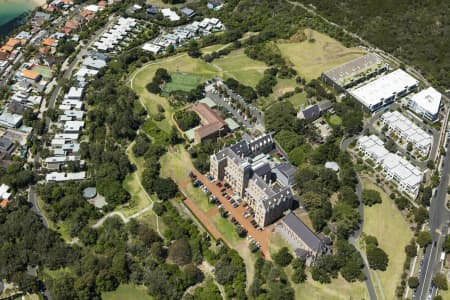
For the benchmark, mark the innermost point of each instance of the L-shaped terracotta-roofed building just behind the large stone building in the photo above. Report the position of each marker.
(213, 125)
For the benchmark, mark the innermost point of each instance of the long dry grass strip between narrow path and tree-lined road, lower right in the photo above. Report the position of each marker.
(385, 222)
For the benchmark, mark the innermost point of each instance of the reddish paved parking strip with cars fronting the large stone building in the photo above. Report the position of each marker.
(238, 212)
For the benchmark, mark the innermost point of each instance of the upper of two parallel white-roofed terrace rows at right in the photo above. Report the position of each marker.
(408, 131)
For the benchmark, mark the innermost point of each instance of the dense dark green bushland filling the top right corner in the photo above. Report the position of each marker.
(415, 31)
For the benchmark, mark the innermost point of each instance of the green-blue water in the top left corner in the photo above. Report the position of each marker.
(11, 13)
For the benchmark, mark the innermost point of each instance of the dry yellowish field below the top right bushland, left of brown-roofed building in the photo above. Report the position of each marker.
(310, 59)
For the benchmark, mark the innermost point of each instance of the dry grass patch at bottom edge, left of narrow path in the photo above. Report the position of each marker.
(338, 289)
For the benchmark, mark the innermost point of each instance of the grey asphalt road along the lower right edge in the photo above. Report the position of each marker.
(439, 217)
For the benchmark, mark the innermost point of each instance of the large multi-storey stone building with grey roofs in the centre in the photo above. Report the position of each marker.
(245, 167)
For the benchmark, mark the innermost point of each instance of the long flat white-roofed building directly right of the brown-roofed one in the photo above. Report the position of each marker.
(385, 90)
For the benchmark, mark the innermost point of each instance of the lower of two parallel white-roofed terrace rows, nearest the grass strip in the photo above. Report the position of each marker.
(395, 167)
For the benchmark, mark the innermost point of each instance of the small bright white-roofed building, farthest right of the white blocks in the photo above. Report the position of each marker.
(426, 104)
